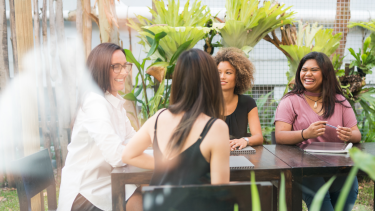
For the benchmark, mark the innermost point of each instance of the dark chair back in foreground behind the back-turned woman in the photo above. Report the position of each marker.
(205, 197)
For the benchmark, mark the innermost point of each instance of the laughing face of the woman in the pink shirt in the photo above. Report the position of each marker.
(311, 76)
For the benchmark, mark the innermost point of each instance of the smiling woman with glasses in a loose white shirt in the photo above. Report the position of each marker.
(101, 130)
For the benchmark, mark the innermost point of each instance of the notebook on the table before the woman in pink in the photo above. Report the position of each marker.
(326, 147)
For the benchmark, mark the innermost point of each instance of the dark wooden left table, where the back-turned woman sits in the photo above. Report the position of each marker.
(266, 166)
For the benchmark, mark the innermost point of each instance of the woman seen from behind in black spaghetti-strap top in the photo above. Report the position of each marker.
(189, 138)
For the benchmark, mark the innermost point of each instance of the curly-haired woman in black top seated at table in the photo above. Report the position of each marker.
(236, 76)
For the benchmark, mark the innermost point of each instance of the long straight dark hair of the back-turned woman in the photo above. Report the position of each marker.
(195, 89)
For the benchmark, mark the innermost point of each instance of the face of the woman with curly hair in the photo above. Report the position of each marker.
(227, 76)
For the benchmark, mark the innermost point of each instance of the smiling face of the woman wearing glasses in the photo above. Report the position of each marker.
(117, 79)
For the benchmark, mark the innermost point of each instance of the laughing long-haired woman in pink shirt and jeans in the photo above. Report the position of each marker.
(302, 115)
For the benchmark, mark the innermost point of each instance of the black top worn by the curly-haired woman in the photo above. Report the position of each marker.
(238, 121)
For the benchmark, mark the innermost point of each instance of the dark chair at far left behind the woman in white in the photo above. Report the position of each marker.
(32, 175)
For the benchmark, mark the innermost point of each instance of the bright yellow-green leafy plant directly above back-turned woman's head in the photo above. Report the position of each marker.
(180, 26)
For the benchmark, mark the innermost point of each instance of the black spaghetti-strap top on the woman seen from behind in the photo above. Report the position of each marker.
(187, 168)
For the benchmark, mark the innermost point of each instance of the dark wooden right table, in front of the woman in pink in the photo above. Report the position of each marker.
(305, 164)
